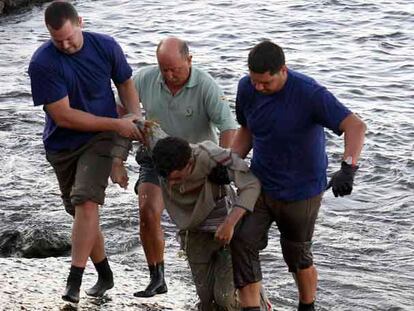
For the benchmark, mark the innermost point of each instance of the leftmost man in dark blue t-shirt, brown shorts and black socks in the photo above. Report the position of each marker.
(71, 78)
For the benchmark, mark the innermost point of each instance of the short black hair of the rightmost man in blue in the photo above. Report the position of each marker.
(266, 56)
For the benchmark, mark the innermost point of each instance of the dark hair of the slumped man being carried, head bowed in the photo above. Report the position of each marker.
(171, 154)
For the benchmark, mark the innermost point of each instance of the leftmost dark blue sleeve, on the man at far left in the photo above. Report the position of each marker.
(47, 86)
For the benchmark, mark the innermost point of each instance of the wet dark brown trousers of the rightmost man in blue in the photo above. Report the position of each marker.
(296, 223)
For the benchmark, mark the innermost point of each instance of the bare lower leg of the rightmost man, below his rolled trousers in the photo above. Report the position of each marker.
(307, 280)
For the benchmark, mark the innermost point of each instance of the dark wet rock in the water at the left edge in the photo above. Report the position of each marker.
(33, 243)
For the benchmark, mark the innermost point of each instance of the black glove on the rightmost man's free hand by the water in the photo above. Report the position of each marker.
(343, 180)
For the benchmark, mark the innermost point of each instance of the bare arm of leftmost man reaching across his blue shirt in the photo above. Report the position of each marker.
(67, 117)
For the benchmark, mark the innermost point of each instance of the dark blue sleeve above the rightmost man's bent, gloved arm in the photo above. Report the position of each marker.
(328, 110)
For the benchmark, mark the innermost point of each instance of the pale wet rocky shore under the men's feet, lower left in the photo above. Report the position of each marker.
(37, 284)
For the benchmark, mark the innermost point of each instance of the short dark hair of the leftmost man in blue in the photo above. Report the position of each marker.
(58, 12)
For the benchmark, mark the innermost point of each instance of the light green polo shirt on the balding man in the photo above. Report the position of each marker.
(194, 113)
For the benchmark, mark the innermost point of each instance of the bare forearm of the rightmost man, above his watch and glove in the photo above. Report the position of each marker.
(354, 129)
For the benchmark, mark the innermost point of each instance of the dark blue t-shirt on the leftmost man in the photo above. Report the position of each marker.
(85, 77)
